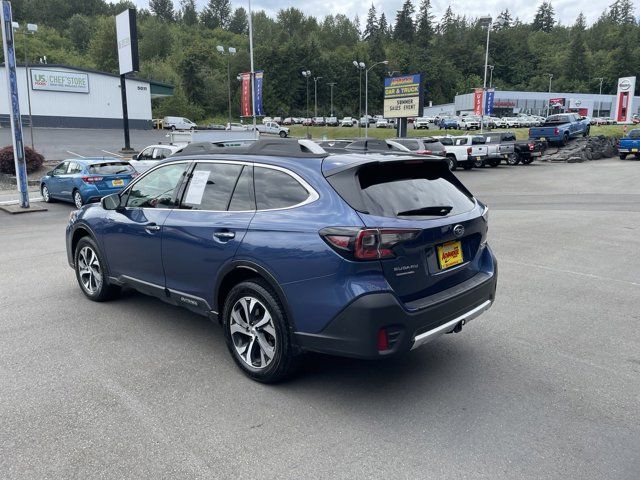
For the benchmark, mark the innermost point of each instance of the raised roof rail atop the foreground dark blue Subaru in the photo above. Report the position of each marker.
(284, 147)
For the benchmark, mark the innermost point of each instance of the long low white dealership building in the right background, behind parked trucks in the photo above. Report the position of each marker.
(507, 103)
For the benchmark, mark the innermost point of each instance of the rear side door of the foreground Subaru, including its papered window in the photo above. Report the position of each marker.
(205, 231)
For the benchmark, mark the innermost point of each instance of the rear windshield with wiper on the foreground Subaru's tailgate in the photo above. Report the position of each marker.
(410, 190)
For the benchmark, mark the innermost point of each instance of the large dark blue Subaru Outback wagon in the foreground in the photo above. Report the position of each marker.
(292, 249)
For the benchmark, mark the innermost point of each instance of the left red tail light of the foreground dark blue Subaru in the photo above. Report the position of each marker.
(366, 243)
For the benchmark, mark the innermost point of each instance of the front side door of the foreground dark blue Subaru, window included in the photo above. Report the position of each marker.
(133, 236)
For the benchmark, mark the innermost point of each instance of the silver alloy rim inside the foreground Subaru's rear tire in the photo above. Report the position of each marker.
(253, 332)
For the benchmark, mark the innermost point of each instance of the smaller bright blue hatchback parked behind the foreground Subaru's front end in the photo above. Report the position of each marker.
(86, 180)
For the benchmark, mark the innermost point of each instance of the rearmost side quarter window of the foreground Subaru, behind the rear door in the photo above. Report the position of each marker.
(277, 189)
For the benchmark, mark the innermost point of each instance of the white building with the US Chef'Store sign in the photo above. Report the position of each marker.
(67, 97)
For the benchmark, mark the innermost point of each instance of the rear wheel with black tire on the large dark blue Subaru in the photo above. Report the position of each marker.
(246, 306)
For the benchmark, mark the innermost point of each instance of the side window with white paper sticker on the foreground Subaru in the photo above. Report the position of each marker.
(211, 186)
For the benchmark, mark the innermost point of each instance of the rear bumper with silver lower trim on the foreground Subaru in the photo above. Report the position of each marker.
(354, 331)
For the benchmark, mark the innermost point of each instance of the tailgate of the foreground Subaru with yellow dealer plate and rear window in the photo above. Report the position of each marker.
(427, 197)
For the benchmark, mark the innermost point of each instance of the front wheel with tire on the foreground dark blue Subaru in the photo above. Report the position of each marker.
(91, 273)
